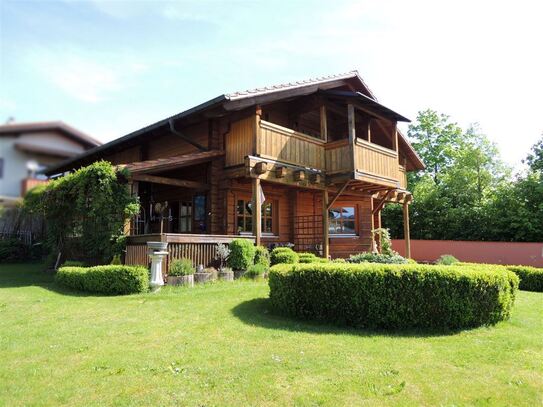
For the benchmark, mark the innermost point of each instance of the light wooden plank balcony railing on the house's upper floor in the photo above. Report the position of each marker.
(365, 161)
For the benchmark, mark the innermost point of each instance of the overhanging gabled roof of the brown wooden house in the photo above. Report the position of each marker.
(237, 101)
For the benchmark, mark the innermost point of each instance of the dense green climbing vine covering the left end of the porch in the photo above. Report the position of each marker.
(85, 211)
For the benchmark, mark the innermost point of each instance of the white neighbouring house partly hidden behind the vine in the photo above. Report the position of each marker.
(27, 149)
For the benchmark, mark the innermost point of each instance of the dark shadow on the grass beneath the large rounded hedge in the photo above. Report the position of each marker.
(259, 312)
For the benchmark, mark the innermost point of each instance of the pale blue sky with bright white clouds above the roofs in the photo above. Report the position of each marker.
(111, 67)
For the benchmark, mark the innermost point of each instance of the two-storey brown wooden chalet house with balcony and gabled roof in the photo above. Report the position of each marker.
(309, 163)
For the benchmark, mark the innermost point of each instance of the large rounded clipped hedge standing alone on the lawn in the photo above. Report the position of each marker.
(393, 295)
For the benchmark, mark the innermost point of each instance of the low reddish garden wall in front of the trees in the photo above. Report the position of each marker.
(530, 254)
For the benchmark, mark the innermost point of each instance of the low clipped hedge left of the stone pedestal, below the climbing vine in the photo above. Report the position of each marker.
(110, 279)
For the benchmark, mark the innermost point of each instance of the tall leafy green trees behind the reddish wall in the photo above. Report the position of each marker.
(466, 191)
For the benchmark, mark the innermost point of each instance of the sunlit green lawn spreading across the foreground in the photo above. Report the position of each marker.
(220, 345)
